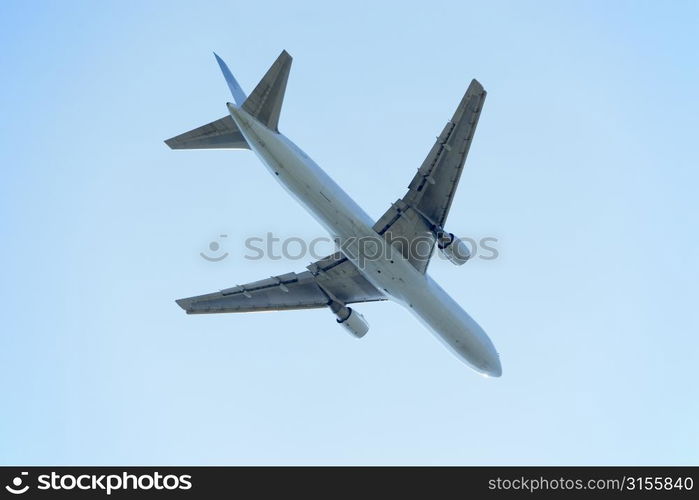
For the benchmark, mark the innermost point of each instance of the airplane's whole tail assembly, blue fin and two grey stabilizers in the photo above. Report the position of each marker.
(264, 104)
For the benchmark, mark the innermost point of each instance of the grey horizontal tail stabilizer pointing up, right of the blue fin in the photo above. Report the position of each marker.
(265, 102)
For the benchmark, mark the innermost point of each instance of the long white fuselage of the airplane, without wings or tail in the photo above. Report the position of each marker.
(350, 226)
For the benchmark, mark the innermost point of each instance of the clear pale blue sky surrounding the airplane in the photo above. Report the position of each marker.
(584, 166)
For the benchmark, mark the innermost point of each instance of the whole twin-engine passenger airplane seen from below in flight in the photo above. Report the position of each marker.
(376, 260)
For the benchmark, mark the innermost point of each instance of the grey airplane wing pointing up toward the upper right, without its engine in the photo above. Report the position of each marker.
(426, 205)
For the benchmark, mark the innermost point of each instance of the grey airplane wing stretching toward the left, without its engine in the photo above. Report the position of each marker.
(331, 278)
